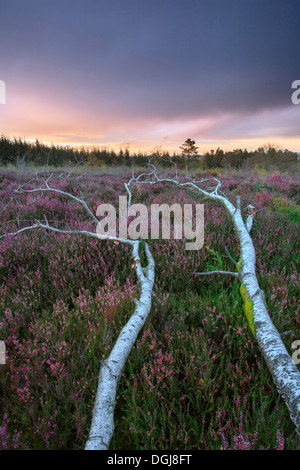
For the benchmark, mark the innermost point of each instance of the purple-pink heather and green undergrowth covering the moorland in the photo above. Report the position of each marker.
(195, 378)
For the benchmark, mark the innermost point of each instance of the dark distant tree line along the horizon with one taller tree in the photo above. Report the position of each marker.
(17, 151)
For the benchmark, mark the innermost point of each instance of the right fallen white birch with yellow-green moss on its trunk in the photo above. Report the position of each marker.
(285, 374)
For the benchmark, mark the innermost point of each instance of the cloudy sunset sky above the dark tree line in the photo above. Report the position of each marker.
(148, 73)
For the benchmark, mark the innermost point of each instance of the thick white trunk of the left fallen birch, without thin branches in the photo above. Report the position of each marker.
(102, 426)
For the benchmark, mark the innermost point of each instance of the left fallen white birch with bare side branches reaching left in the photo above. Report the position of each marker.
(102, 426)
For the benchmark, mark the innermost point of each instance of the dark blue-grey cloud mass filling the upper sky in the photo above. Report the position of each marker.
(152, 60)
